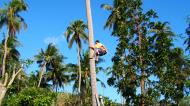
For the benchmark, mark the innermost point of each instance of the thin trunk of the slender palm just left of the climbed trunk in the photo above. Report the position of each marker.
(79, 64)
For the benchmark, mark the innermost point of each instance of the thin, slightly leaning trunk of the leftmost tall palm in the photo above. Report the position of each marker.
(5, 53)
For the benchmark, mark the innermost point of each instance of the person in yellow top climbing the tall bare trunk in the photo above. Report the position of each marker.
(99, 49)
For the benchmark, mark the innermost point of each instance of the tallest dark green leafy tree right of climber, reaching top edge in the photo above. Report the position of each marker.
(133, 57)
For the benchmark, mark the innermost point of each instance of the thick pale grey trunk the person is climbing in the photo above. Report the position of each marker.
(95, 100)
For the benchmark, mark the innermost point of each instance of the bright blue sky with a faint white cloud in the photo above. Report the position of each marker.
(47, 21)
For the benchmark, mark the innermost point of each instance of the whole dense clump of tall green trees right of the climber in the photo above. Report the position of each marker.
(145, 53)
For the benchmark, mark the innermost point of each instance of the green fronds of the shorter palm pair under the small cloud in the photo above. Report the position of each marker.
(54, 68)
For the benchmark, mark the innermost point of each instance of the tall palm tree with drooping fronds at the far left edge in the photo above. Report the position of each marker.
(14, 22)
